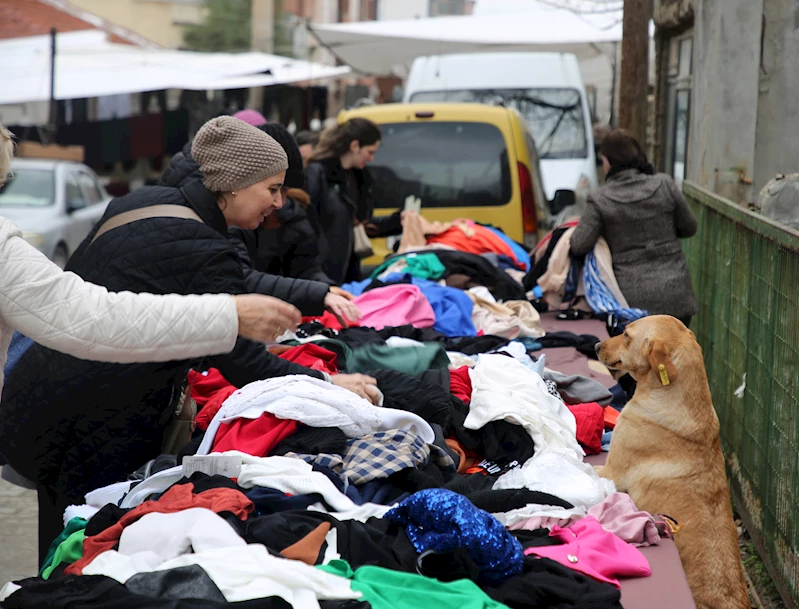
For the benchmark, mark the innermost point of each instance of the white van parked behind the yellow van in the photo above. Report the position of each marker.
(546, 88)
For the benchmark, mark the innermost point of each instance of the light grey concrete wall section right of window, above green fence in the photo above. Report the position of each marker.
(725, 95)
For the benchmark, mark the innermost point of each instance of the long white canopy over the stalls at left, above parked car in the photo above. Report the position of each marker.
(87, 65)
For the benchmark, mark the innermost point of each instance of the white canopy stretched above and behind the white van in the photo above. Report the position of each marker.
(389, 47)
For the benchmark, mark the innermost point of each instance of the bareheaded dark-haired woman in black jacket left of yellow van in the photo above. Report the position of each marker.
(341, 195)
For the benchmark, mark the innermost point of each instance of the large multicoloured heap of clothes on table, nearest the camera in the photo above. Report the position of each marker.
(464, 487)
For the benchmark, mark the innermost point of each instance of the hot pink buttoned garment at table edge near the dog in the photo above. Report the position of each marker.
(592, 551)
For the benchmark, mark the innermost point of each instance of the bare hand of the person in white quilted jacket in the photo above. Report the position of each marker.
(263, 318)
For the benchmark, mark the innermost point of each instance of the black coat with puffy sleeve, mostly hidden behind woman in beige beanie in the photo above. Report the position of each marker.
(307, 294)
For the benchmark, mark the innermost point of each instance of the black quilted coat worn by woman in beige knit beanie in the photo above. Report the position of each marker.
(76, 425)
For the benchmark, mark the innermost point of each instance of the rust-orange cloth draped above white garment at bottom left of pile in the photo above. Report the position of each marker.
(178, 498)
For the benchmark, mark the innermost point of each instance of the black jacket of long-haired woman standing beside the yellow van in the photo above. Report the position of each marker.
(336, 212)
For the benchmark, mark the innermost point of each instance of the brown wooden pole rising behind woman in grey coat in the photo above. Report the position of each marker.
(633, 106)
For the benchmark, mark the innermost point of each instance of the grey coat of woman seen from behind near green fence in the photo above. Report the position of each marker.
(643, 218)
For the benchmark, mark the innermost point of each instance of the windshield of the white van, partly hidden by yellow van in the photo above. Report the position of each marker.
(554, 116)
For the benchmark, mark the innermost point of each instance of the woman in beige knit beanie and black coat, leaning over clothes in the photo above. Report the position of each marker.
(74, 425)
